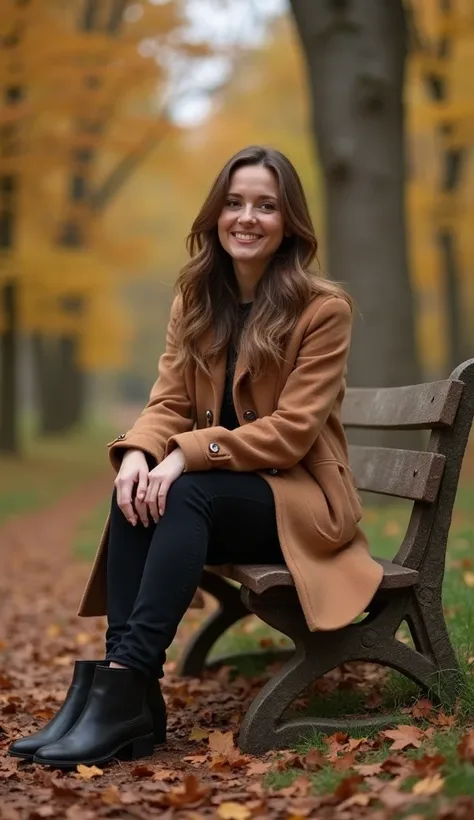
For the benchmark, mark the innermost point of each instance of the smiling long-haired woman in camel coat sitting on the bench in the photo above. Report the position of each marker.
(238, 457)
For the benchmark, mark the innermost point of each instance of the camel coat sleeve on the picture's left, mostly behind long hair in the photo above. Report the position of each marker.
(169, 411)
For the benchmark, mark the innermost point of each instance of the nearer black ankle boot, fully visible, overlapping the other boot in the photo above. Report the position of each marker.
(115, 722)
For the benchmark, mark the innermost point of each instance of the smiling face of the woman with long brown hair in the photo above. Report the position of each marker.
(251, 225)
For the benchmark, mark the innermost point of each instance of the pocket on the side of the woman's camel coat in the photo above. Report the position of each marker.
(339, 510)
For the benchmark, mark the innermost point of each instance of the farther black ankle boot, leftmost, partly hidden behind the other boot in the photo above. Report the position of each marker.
(64, 719)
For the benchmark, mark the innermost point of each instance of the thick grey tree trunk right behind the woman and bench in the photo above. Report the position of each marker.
(355, 51)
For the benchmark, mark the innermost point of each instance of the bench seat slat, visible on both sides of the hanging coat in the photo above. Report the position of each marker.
(260, 577)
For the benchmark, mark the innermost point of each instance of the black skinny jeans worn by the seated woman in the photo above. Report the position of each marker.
(214, 517)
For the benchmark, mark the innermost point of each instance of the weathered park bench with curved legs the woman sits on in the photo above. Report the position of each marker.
(411, 589)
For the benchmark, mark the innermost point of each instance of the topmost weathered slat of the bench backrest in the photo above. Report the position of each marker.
(416, 407)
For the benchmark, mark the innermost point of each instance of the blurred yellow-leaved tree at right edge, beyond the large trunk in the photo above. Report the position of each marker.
(441, 53)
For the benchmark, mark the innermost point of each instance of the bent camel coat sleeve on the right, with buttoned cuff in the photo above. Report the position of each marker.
(282, 439)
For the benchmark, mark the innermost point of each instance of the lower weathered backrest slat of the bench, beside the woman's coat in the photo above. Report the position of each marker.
(401, 473)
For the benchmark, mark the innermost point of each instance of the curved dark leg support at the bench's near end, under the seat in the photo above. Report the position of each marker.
(372, 640)
